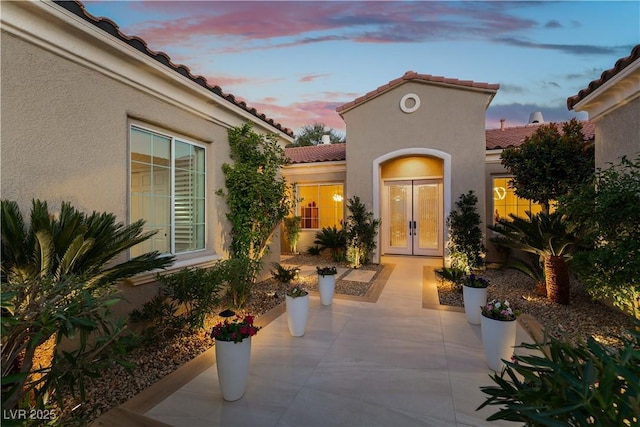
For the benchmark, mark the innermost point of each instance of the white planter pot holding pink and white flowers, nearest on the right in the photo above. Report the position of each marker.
(498, 340)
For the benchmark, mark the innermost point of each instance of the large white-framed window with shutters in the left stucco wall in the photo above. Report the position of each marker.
(167, 191)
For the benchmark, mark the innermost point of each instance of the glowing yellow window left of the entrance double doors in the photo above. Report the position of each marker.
(321, 205)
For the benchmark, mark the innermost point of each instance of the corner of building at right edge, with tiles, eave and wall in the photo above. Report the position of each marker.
(613, 104)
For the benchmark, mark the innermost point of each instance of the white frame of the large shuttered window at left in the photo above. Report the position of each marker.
(173, 136)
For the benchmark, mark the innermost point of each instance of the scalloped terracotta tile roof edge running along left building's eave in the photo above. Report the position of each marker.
(108, 26)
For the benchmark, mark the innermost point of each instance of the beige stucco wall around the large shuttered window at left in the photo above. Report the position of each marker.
(65, 133)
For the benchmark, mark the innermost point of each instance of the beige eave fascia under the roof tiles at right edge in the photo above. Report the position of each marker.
(620, 89)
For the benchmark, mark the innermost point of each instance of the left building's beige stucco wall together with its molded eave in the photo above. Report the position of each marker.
(69, 95)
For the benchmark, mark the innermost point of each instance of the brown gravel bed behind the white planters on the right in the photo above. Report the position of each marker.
(578, 321)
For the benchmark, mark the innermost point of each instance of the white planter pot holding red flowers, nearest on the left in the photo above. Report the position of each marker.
(232, 363)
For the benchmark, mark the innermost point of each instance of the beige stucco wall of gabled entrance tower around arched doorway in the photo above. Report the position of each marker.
(450, 120)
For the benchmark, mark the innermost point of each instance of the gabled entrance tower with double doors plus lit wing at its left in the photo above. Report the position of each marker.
(414, 145)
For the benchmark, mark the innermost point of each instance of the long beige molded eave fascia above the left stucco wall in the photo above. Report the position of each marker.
(61, 32)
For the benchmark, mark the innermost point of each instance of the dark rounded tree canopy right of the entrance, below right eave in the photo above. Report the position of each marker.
(549, 163)
